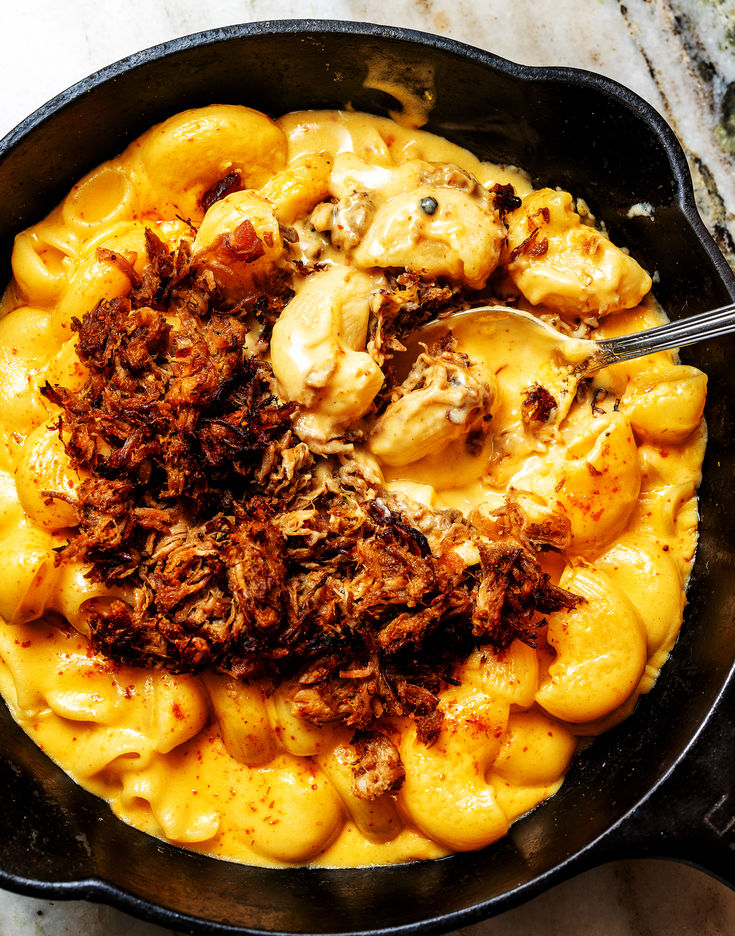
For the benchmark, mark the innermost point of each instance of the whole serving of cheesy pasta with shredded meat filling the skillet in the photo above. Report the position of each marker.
(309, 250)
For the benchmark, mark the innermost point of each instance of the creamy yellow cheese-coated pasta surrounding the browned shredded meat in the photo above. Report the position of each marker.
(215, 766)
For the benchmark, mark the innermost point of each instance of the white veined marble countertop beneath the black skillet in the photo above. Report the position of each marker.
(677, 54)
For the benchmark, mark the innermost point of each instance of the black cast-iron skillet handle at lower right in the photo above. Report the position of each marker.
(691, 816)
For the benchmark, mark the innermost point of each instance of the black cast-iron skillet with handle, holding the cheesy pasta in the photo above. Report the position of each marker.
(661, 784)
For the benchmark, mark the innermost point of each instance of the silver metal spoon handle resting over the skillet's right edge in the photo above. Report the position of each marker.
(677, 334)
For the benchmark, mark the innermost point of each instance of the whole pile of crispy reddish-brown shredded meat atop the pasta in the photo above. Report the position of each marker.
(230, 547)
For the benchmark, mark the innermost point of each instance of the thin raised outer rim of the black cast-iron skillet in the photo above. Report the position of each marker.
(101, 889)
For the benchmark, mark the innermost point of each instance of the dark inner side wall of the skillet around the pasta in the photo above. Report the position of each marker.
(562, 134)
